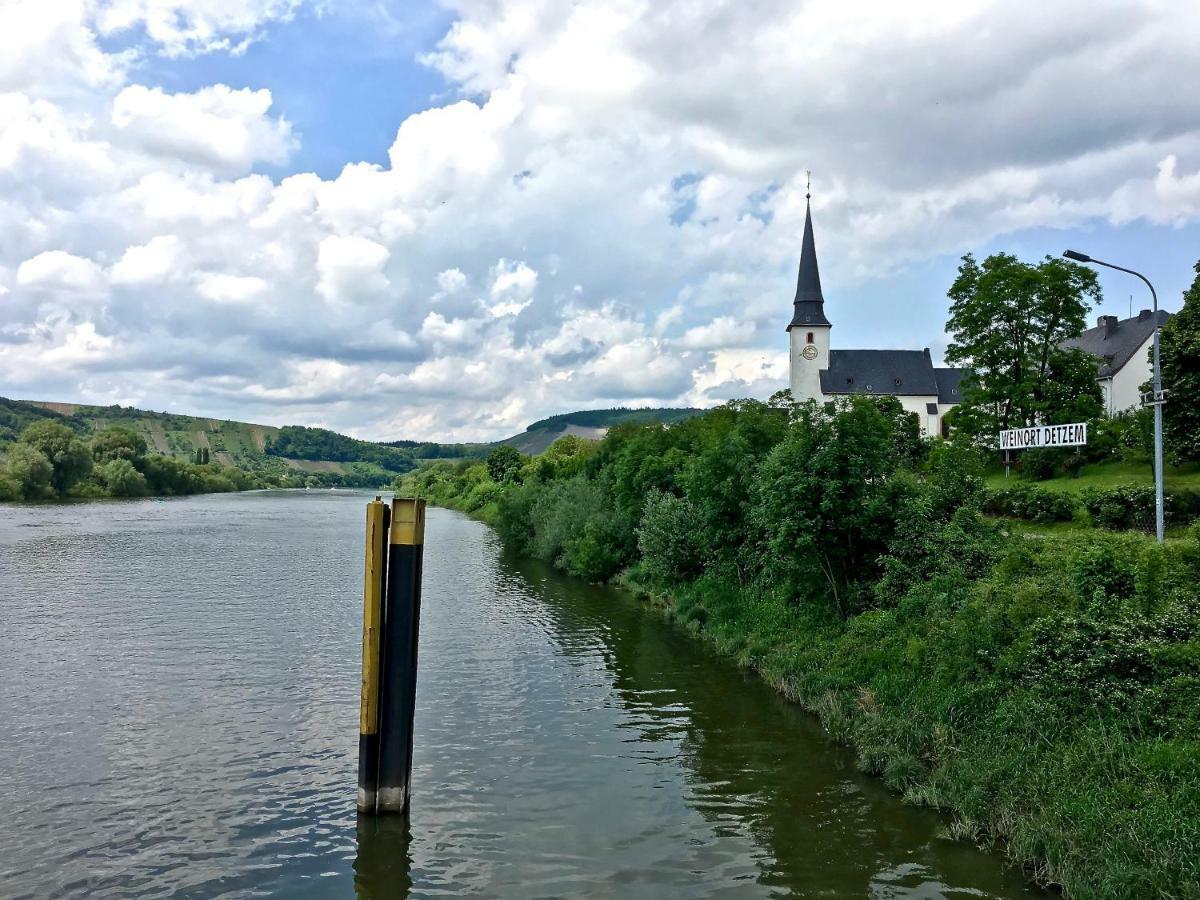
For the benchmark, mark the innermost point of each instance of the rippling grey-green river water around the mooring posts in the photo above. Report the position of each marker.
(179, 688)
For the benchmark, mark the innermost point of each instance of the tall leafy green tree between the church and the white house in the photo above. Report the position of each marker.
(1009, 321)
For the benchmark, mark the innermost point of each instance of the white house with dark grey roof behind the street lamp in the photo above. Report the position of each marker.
(1123, 356)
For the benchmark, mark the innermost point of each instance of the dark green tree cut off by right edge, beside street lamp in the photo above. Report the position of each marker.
(1180, 351)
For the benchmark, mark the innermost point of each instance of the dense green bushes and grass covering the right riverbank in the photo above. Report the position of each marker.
(1042, 689)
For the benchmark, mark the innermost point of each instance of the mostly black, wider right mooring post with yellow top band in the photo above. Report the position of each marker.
(401, 623)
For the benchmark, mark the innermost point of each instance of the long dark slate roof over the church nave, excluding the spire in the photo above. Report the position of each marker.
(896, 373)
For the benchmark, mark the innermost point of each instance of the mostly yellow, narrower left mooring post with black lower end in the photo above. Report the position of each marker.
(374, 579)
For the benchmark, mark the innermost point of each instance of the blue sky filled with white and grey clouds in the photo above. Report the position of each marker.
(447, 220)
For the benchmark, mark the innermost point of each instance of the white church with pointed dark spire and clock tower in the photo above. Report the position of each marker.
(821, 374)
